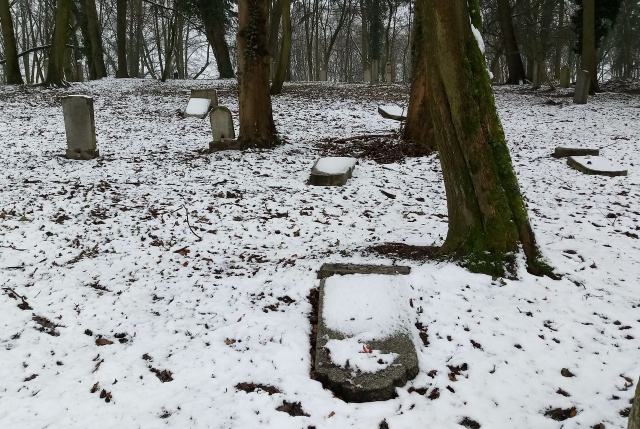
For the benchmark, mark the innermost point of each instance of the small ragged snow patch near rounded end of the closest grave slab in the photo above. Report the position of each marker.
(350, 351)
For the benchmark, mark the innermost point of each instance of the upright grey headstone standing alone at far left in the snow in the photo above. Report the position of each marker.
(79, 124)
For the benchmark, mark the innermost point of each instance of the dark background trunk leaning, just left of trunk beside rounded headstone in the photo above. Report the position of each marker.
(213, 18)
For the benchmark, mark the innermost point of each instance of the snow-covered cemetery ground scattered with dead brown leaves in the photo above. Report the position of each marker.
(159, 277)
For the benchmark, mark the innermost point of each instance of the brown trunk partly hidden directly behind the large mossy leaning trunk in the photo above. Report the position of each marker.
(418, 125)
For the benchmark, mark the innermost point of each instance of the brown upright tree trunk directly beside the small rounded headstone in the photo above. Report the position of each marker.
(256, 119)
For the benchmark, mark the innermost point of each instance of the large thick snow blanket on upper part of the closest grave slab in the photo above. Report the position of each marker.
(367, 306)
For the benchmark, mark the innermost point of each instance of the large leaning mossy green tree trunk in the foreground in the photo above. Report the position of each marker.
(487, 216)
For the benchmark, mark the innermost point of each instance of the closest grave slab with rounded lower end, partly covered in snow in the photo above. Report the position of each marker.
(364, 346)
